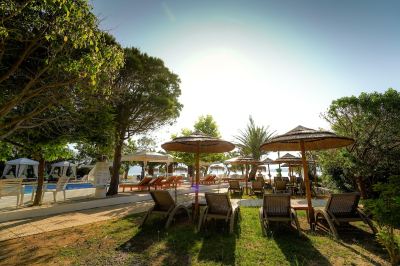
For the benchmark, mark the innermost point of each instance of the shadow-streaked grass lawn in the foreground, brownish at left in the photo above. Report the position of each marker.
(120, 242)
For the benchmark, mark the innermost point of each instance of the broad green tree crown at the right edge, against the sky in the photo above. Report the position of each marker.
(373, 120)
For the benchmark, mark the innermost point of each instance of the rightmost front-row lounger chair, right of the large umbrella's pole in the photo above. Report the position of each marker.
(341, 209)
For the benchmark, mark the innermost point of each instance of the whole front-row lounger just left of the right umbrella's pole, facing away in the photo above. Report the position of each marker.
(276, 208)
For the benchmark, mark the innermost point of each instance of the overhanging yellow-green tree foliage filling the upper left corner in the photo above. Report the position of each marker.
(50, 51)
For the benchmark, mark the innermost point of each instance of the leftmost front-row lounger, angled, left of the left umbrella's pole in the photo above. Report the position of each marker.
(165, 205)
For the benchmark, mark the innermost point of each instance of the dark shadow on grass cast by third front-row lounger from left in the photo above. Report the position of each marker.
(298, 250)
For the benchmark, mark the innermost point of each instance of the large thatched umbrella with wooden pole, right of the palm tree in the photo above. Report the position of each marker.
(305, 139)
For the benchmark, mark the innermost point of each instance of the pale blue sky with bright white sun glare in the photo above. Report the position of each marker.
(282, 62)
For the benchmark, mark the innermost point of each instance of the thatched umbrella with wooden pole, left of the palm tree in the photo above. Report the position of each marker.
(198, 143)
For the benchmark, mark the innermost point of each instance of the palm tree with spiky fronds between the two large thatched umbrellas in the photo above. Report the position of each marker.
(249, 141)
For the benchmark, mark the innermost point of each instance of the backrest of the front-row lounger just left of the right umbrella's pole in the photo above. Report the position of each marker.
(277, 205)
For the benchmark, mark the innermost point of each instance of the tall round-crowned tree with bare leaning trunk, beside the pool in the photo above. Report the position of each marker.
(145, 97)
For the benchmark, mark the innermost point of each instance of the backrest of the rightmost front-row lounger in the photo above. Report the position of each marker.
(344, 204)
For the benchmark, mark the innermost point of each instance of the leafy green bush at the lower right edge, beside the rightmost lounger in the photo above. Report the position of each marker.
(386, 211)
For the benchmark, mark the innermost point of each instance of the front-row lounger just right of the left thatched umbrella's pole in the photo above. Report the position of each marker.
(218, 207)
